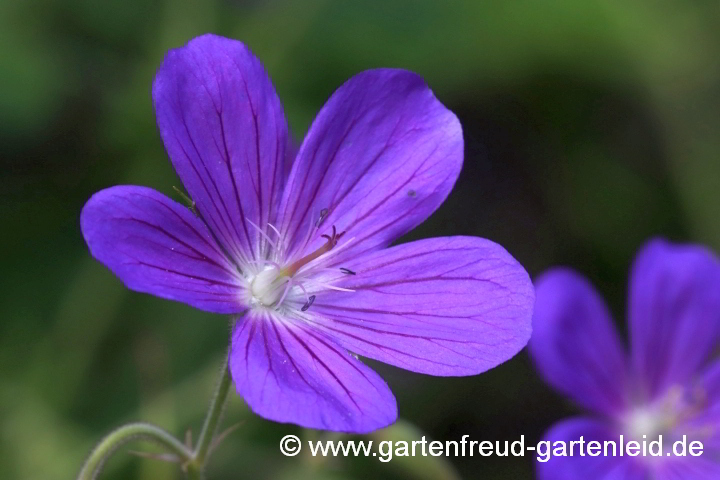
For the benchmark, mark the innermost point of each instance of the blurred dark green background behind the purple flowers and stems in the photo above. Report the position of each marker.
(589, 127)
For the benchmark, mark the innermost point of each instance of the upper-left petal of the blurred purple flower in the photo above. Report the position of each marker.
(574, 344)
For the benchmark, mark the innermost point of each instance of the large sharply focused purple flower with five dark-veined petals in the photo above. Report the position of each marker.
(295, 245)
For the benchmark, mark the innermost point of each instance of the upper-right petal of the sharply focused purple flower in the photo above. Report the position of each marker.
(381, 156)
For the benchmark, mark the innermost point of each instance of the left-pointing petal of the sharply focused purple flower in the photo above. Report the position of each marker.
(157, 246)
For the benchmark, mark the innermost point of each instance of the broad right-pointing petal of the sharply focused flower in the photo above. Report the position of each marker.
(442, 306)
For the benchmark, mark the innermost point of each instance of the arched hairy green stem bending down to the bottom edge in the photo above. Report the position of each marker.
(125, 434)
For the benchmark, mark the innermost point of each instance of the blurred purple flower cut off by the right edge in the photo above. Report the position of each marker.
(666, 387)
